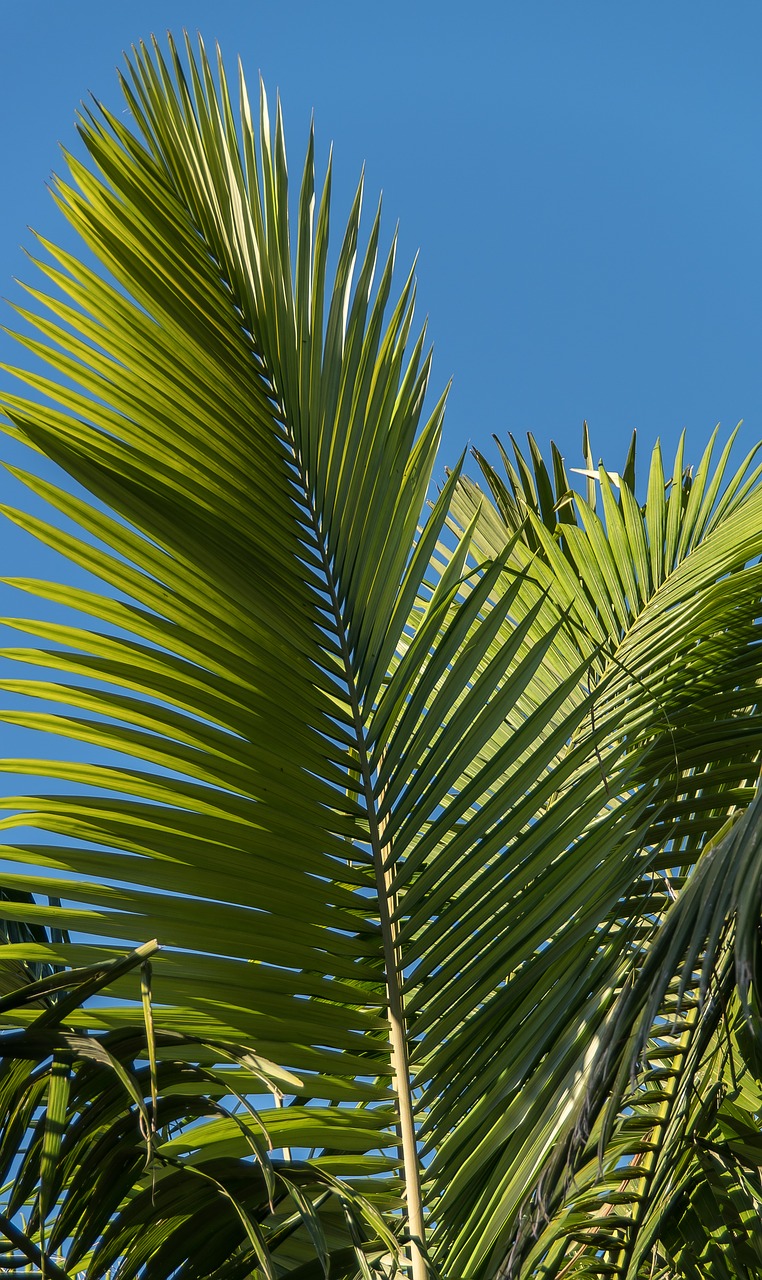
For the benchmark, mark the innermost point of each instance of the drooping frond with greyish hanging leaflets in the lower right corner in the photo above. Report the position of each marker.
(672, 1174)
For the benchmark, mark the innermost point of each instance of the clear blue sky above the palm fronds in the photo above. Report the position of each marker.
(583, 181)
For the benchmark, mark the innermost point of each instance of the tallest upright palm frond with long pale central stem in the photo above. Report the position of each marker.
(275, 627)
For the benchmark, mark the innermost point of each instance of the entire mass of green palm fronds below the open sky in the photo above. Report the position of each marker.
(413, 840)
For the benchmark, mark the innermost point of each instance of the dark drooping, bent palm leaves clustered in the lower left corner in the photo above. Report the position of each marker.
(117, 1163)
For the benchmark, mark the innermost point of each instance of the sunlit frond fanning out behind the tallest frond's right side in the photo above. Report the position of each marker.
(673, 680)
